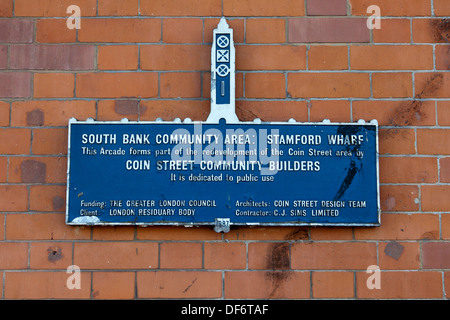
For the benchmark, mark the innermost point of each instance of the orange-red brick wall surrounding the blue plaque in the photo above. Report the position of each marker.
(302, 59)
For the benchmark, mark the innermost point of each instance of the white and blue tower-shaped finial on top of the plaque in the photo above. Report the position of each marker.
(223, 75)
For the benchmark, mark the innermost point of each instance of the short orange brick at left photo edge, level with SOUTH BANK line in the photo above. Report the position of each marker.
(15, 141)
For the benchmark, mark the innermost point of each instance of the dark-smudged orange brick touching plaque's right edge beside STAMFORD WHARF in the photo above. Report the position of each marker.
(397, 141)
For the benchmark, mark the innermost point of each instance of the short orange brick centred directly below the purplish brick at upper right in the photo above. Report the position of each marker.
(328, 58)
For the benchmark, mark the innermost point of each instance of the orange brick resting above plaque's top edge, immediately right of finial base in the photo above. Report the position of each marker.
(272, 110)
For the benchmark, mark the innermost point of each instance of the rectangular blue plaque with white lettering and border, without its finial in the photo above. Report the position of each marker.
(194, 173)
